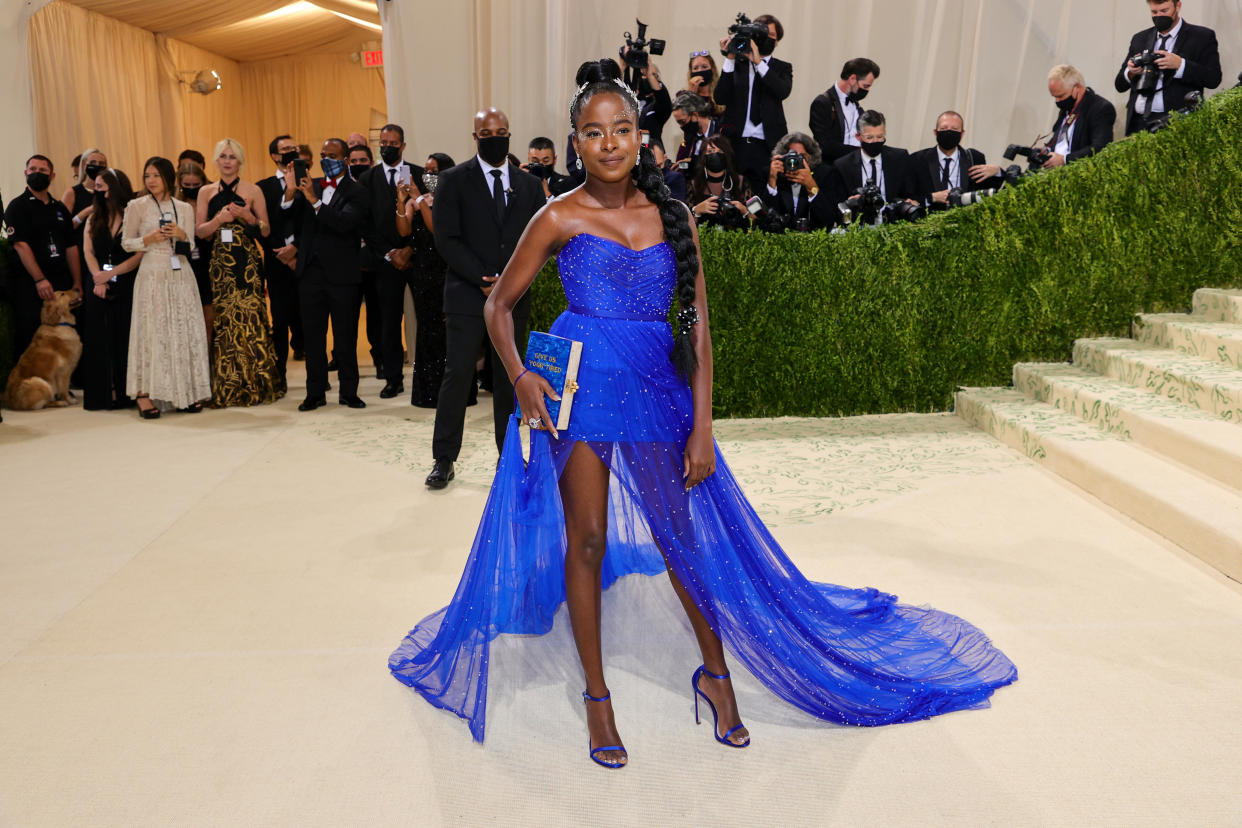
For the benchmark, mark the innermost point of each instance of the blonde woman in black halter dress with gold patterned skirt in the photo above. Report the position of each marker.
(243, 352)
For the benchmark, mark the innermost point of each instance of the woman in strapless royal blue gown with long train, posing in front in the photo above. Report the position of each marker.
(637, 485)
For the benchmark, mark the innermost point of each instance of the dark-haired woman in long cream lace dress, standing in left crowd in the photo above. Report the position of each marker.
(170, 364)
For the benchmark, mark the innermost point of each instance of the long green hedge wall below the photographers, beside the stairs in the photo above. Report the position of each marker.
(895, 320)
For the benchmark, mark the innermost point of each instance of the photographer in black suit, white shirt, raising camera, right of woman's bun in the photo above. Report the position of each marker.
(753, 99)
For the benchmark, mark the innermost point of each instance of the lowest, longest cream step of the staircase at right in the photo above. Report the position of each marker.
(1198, 515)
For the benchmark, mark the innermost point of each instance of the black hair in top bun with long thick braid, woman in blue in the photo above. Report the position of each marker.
(596, 78)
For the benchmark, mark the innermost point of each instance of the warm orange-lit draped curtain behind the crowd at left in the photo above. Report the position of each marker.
(100, 83)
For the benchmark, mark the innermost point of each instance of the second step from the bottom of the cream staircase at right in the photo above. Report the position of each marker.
(1185, 435)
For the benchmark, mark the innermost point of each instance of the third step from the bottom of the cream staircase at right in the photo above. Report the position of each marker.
(1209, 387)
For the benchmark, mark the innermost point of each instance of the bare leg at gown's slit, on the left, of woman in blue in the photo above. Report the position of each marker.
(584, 493)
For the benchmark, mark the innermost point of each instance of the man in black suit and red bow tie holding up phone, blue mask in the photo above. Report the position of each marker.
(330, 215)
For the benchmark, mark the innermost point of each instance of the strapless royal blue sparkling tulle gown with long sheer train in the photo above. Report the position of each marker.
(854, 657)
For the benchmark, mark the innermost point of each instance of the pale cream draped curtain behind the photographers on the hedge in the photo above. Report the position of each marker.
(986, 59)
